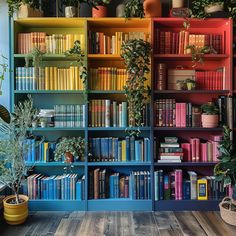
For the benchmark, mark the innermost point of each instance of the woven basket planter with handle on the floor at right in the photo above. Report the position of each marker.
(226, 213)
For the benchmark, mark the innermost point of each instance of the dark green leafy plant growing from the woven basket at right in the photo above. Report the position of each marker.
(225, 170)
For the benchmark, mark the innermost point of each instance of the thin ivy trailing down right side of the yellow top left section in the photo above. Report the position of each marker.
(79, 55)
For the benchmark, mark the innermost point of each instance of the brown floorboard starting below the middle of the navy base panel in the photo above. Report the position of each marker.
(189, 224)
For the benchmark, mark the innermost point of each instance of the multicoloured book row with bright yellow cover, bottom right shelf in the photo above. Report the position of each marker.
(173, 186)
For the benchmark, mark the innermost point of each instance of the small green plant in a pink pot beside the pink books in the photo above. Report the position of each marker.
(210, 115)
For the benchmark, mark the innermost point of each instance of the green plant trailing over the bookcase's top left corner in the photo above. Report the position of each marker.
(14, 5)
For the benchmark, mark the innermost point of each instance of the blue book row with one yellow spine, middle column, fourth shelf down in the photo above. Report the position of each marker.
(118, 149)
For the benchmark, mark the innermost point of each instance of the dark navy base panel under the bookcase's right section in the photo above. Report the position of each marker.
(186, 205)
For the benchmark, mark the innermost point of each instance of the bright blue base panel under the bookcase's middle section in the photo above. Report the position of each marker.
(119, 205)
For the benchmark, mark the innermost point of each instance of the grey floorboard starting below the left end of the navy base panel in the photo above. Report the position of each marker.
(167, 224)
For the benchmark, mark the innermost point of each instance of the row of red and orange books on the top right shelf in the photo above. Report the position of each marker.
(168, 42)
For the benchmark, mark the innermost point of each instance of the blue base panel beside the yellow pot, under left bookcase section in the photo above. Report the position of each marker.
(56, 205)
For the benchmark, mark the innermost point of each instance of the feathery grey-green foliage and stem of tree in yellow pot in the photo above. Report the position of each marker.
(13, 148)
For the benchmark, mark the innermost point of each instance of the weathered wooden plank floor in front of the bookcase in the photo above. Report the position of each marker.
(120, 224)
